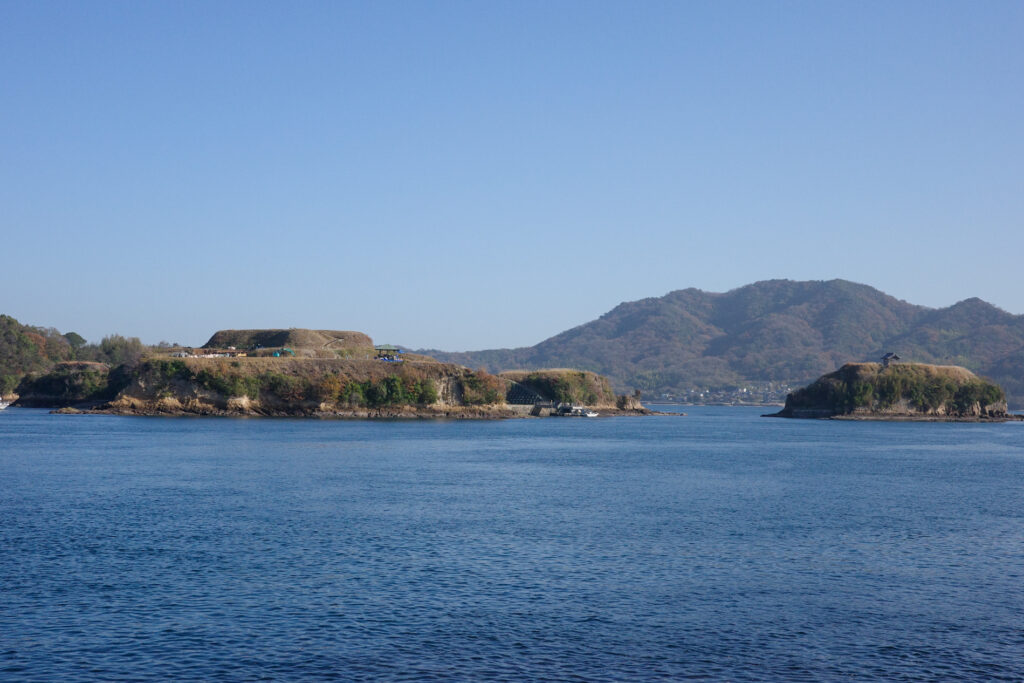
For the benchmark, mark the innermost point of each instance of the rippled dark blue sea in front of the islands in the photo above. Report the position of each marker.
(718, 546)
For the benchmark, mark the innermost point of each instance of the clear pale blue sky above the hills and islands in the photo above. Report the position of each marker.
(467, 176)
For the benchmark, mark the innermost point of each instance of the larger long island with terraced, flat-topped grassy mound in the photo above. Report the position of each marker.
(316, 373)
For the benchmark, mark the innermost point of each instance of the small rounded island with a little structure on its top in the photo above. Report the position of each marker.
(900, 392)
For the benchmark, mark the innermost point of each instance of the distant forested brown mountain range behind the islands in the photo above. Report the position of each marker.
(777, 331)
